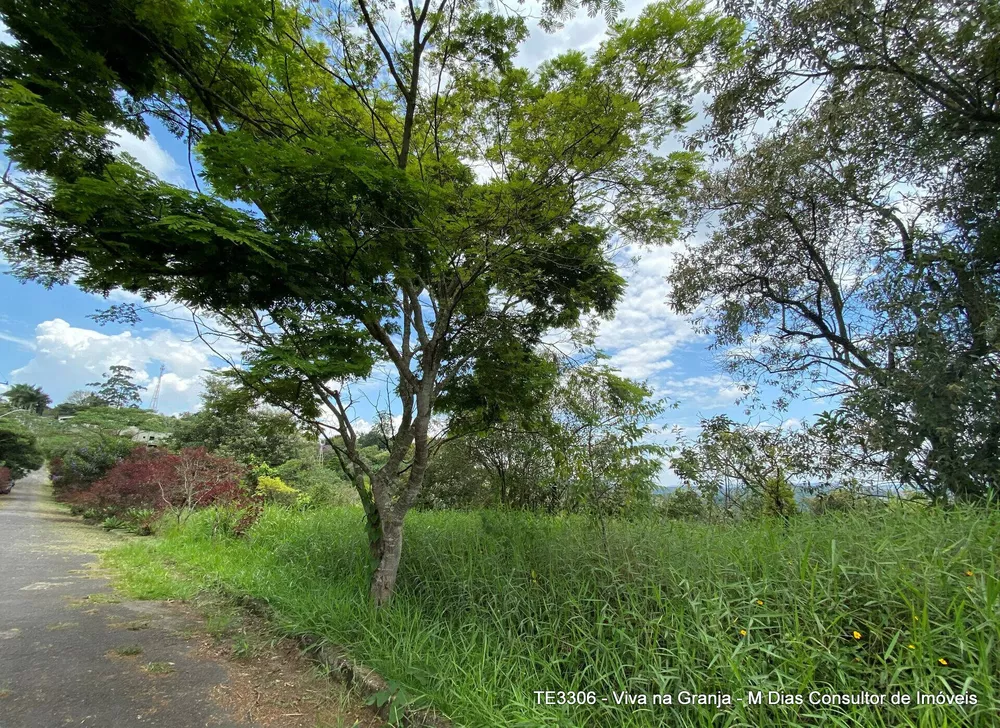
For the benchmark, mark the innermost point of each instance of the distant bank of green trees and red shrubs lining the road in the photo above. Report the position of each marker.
(232, 452)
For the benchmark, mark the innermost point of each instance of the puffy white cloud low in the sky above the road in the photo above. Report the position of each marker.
(67, 358)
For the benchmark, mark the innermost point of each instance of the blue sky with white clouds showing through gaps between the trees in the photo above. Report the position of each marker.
(47, 339)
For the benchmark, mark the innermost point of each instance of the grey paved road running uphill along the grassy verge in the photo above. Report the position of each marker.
(60, 626)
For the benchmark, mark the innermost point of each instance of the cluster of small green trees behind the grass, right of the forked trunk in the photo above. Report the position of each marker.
(582, 445)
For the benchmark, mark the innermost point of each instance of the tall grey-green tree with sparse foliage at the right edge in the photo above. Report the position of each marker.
(853, 244)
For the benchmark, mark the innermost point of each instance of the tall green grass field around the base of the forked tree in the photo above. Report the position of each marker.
(493, 607)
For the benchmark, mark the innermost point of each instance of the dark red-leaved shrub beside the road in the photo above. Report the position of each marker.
(151, 478)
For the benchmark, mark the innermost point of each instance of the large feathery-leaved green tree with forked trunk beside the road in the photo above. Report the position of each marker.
(378, 188)
